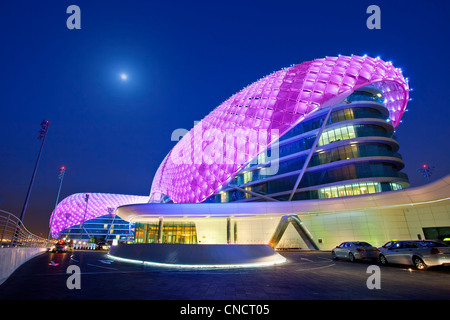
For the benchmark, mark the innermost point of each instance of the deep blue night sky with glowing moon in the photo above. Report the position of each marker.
(183, 59)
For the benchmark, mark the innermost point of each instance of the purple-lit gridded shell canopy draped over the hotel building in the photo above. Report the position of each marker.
(205, 159)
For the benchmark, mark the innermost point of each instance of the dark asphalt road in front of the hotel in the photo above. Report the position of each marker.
(306, 276)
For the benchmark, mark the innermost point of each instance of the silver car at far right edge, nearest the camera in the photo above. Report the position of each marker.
(418, 253)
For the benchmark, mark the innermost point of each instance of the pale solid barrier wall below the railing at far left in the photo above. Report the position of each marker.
(12, 258)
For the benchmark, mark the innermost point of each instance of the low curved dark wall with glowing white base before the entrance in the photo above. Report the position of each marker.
(196, 255)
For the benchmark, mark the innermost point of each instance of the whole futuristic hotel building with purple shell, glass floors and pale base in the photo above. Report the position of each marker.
(303, 158)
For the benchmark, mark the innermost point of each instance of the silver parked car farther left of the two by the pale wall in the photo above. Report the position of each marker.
(355, 250)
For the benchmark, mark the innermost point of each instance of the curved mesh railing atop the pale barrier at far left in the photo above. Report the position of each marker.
(14, 234)
